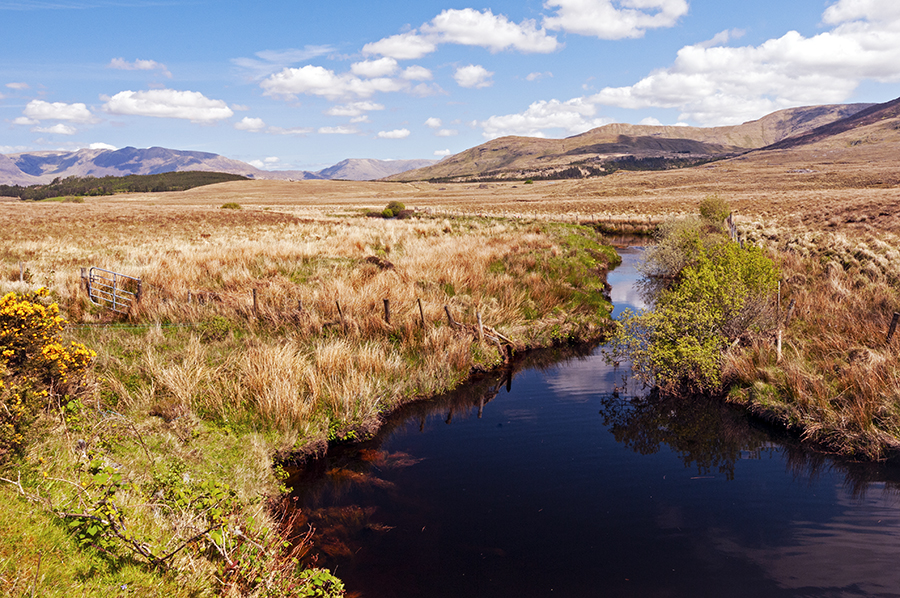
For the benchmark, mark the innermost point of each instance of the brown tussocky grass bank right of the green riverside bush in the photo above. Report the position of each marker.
(837, 382)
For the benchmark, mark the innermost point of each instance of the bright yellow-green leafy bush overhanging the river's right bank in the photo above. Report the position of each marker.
(722, 293)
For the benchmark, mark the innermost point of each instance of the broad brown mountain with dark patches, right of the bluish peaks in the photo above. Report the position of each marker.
(591, 152)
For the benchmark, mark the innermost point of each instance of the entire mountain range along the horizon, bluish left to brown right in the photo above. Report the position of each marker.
(513, 158)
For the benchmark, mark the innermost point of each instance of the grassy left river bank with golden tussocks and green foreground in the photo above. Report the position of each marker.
(155, 471)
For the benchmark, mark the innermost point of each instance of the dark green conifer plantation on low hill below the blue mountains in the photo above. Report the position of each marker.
(109, 185)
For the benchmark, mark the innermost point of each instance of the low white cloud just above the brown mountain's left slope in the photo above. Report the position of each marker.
(572, 117)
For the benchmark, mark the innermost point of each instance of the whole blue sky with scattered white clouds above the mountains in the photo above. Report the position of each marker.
(302, 85)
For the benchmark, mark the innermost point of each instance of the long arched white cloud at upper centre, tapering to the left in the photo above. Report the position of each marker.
(467, 27)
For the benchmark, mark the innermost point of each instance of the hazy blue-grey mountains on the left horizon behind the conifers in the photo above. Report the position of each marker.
(33, 168)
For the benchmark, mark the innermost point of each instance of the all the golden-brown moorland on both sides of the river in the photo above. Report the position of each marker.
(178, 421)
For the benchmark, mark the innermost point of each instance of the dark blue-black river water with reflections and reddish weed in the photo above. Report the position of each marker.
(560, 478)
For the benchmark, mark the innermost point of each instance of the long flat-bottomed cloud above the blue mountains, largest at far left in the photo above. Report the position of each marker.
(168, 103)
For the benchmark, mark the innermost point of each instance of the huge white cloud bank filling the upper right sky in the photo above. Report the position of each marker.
(720, 85)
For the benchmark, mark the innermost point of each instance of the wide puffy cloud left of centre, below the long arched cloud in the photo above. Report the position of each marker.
(319, 81)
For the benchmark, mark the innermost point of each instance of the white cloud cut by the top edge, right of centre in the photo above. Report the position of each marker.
(613, 19)
